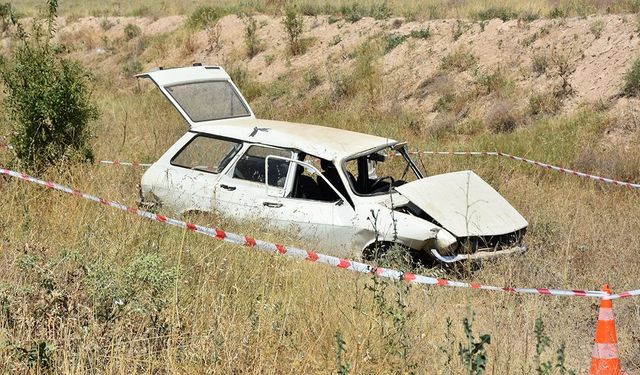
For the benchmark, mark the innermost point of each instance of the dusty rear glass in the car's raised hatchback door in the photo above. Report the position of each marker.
(206, 101)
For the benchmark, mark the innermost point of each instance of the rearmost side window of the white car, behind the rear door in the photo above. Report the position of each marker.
(206, 154)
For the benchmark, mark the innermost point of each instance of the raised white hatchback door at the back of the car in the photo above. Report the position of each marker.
(201, 93)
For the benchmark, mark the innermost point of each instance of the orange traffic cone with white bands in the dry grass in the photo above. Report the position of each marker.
(605, 360)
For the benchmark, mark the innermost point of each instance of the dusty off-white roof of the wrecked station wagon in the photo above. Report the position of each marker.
(320, 141)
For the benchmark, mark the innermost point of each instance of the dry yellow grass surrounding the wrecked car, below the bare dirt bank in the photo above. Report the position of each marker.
(100, 284)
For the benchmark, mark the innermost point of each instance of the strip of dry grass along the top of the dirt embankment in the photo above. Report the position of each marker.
(428, 9)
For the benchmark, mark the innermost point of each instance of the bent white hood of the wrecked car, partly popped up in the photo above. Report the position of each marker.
(464, 204)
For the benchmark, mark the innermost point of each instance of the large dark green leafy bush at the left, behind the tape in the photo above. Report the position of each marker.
(48, 99)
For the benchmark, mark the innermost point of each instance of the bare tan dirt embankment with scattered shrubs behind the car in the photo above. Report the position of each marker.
(429, 68)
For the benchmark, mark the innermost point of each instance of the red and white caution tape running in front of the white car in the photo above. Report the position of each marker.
(311, 256)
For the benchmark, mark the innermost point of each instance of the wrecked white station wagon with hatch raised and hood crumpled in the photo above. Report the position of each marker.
(334, 188)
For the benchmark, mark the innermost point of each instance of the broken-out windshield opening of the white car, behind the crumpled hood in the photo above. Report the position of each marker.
(381, 170)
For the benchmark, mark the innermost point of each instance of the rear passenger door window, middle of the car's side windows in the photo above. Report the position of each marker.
(251, 166)
